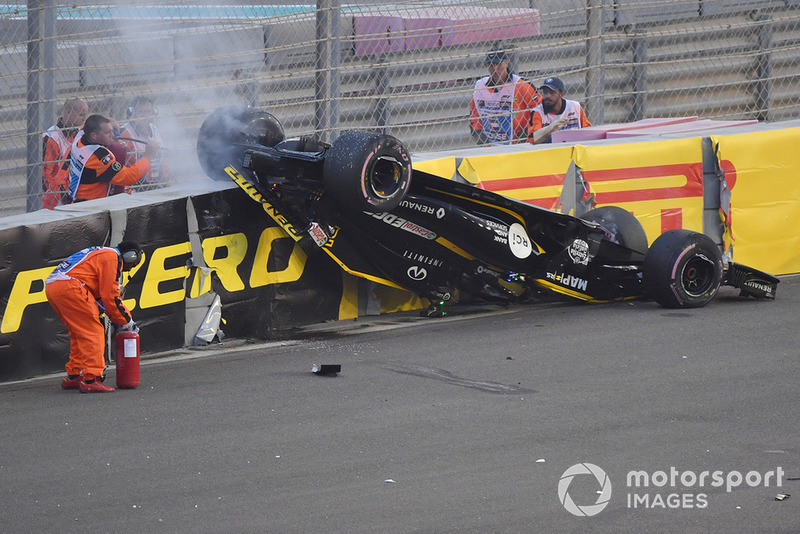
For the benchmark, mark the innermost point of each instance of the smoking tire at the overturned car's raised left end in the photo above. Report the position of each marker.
(228, 131)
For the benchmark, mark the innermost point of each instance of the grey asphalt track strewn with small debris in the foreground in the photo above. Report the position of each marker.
(465, 424)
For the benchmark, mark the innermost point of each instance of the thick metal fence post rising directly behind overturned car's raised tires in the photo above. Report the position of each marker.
(326, 79)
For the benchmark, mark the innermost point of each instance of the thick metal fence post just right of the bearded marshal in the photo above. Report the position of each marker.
(595, 76)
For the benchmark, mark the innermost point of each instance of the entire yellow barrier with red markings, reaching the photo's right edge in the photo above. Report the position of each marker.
(661, 182)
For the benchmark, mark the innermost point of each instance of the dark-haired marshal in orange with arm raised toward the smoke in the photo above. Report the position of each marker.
(93, 169)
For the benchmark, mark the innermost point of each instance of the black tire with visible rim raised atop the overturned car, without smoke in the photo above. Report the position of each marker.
(367, 171)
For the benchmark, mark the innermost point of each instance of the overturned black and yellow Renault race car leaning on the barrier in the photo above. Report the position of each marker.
(359, 201)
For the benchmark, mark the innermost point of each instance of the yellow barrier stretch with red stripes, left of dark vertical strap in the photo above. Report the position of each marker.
(661, 182)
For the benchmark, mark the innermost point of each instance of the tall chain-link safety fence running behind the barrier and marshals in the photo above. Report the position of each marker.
(405, 67)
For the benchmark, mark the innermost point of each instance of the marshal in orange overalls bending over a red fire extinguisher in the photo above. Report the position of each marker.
(78, 289)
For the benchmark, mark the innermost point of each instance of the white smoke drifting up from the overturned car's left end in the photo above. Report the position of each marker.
(196, 60)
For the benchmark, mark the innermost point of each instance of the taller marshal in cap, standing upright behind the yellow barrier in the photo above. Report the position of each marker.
(500, 110)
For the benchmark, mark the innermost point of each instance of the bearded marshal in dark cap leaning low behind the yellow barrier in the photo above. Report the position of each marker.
(555, 113)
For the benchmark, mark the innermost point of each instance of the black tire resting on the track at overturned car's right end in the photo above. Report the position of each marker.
(682, 269)
